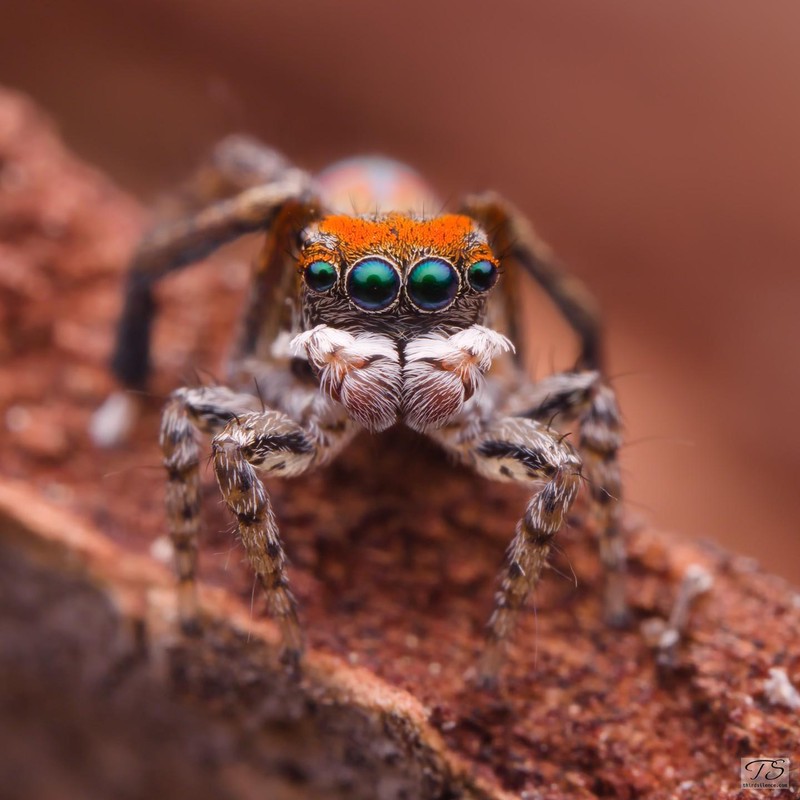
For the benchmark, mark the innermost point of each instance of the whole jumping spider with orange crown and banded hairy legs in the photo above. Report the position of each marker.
(360, 322)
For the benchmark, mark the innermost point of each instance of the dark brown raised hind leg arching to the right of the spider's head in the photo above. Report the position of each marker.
(514, 239)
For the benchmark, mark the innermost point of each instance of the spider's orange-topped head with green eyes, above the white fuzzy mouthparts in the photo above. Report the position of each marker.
(395, 272)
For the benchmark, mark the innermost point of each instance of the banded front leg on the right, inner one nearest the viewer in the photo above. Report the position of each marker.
(525, 451)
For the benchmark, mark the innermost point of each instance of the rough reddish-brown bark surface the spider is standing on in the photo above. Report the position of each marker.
(394, 556)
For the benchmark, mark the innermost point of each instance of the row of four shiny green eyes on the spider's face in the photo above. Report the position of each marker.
(374, 283)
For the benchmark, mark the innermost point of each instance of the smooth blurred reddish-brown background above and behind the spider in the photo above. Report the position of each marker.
(656, 146)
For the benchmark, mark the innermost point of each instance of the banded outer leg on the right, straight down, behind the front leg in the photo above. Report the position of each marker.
(585, 397)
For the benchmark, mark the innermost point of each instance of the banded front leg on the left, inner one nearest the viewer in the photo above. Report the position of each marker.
(271, 442)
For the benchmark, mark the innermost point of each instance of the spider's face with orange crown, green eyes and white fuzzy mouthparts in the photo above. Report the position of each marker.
(383, 301)
